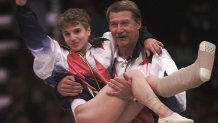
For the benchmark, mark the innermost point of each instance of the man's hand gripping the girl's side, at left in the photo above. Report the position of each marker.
(69, 87)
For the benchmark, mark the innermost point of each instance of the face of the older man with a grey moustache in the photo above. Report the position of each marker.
(123, 28)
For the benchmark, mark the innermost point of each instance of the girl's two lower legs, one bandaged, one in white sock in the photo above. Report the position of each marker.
(201, 70)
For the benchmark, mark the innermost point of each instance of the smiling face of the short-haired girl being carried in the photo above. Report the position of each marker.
(76, 37)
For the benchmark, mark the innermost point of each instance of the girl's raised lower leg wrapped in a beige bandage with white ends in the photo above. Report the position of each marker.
(188, 77)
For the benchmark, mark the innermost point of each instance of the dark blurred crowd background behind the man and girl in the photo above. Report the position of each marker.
(180, 24)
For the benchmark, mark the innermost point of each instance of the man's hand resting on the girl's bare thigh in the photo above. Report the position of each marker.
(121, 86)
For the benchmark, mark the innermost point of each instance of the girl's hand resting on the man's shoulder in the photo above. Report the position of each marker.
(153, 46)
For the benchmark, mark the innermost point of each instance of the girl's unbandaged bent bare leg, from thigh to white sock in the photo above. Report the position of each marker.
(111, 109)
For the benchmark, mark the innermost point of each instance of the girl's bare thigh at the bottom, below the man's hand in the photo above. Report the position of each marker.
(101, 109)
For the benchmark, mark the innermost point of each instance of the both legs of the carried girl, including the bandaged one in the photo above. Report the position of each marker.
(102, 106)
